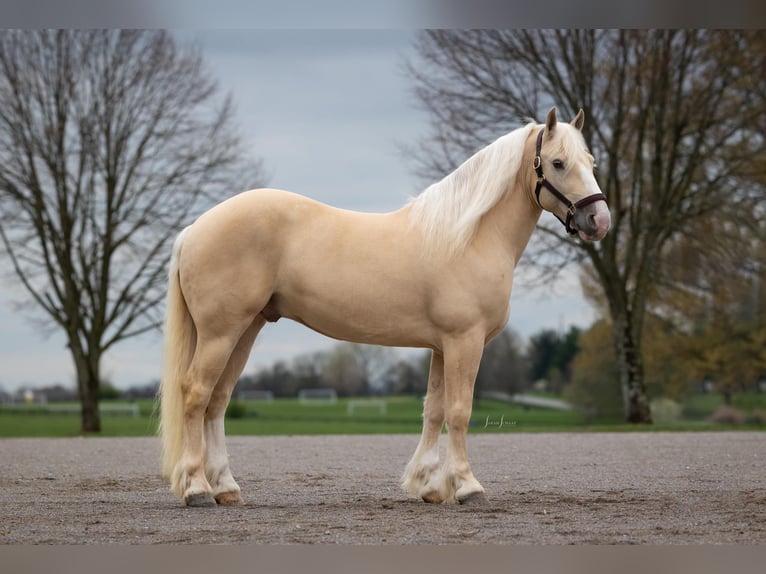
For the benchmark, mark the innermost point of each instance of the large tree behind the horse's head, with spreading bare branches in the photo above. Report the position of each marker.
(674, 119)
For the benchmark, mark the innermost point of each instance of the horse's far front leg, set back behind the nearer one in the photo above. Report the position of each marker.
(420, 473)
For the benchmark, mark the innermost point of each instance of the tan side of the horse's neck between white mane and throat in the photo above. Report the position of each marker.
(509, 225)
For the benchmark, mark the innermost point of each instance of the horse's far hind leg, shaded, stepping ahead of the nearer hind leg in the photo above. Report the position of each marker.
(225, 489)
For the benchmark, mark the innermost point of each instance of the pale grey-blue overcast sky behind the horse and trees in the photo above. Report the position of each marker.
(325, 110)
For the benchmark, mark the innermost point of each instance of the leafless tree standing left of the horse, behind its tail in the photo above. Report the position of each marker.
(109, 142)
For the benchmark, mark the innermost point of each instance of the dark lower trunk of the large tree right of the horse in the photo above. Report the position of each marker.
(631, 369)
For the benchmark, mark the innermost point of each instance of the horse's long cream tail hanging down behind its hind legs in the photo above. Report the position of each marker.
(180, 339)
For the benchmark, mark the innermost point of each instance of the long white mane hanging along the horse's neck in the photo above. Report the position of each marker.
(449, 211)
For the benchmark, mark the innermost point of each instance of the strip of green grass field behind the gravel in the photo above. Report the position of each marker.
(403, 415)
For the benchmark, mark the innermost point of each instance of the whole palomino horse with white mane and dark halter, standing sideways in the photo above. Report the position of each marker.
(435, 274)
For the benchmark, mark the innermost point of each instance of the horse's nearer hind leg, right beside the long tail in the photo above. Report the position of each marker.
(210, 359)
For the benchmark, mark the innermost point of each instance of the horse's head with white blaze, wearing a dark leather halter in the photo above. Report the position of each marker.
(566, 185)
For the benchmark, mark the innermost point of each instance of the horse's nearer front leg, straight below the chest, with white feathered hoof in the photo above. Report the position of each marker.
(461, 363)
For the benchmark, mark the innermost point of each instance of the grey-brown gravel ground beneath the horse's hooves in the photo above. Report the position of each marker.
(600, 488)
